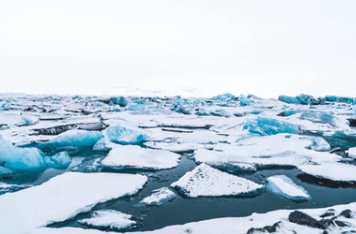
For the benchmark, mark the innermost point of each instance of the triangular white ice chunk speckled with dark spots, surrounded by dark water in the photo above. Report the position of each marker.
(207, 181)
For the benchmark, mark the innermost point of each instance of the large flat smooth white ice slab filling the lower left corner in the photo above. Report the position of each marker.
(63, 197)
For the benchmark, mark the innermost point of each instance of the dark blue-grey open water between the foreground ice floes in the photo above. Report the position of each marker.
(183, 210)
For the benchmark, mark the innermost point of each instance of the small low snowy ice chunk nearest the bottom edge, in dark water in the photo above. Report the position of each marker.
(111, 219)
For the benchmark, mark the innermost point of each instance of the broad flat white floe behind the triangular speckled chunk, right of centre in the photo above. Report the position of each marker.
(269, 151)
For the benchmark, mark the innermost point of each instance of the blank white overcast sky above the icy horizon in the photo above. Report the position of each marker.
(109, 46)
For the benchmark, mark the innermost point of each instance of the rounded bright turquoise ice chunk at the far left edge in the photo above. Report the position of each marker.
(16, 158)
